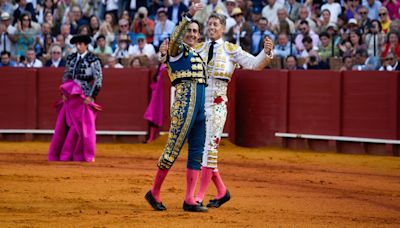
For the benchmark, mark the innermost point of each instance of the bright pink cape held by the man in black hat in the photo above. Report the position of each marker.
(74, 136)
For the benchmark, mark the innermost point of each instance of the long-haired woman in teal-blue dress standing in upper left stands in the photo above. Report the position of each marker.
(25, 35)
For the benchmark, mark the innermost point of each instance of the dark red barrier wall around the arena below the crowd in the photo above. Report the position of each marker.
(261, 103)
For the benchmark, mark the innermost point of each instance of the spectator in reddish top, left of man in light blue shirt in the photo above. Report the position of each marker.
(142, 24)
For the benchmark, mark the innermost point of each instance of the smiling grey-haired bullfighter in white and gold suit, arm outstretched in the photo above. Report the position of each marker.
(222, 57)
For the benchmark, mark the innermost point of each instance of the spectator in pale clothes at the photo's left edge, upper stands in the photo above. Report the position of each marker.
(7, 34)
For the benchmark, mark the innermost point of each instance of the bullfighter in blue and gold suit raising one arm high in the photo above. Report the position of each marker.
(187, 73)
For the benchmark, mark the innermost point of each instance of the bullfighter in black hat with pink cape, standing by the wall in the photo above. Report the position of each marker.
(75, 134)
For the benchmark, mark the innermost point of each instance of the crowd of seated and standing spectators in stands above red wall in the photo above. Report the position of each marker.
(308, 34)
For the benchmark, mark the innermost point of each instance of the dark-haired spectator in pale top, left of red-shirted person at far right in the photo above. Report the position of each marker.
(375, 39)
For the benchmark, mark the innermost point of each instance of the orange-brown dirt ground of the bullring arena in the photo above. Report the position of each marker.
(269, 187)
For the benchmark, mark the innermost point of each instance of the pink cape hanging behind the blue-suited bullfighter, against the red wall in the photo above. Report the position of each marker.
(154, 112)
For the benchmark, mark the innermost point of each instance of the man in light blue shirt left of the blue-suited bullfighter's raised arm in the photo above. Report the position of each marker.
(163, 28)
